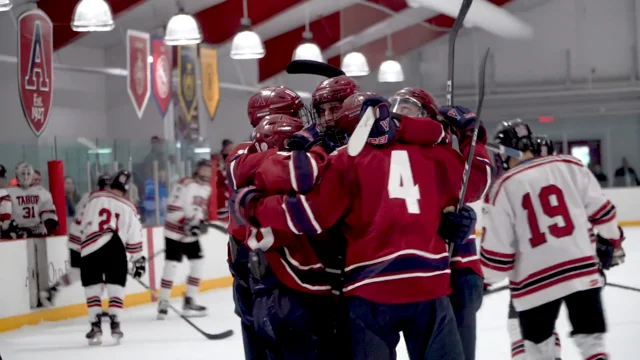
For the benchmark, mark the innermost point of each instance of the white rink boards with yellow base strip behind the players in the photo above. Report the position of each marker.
(24, 262)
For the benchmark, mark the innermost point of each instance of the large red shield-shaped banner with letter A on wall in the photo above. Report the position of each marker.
(35, 67)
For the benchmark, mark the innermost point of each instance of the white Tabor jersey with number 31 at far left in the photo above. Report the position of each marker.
(31, 207)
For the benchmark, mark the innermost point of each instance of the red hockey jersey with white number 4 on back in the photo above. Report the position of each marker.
(389, 202)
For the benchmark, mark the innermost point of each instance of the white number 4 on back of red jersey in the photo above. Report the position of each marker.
(401, 185)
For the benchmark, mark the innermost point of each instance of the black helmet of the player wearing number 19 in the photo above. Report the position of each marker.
(514, 134)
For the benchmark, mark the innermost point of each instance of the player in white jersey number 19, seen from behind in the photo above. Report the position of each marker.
(536, 233)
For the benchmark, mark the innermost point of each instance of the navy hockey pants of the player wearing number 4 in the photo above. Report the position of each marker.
(429, 330)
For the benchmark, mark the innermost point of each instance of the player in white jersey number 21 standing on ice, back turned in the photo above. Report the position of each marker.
(110, 229)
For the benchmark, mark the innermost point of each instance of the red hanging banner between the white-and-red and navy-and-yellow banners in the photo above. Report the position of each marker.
(161, 73)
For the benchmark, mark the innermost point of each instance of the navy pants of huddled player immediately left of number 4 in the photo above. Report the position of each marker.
(296, 325)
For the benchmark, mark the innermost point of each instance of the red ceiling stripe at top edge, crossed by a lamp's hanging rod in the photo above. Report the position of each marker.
(220, 22)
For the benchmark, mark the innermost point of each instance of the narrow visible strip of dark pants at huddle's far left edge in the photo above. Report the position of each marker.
(254, 347)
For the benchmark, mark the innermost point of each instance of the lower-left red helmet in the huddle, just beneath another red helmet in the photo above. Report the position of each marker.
(274, 131)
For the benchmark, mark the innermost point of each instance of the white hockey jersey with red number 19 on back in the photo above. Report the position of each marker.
(537, 230)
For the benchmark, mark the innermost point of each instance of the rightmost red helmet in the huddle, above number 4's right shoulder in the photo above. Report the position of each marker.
(414, 102)
